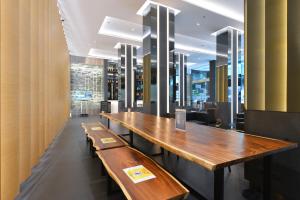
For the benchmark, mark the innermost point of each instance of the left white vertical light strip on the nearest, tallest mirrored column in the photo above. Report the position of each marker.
(158, 63)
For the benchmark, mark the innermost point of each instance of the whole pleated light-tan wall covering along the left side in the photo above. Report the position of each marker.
(34, 92)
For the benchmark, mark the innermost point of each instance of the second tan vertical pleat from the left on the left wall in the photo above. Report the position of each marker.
(24, 85)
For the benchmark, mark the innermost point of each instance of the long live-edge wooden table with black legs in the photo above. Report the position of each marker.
(211, 148)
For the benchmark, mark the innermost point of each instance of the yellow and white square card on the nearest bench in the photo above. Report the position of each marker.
(138, 173)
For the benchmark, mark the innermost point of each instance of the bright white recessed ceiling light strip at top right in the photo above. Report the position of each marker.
(217, 8)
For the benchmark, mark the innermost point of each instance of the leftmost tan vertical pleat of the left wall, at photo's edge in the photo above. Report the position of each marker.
(9, 98)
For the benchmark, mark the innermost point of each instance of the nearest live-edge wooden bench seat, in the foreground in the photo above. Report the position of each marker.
(163, 186)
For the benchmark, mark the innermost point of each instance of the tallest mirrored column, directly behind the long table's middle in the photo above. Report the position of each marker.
(158, 52)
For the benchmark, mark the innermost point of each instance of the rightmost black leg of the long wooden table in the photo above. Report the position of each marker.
(267, 178)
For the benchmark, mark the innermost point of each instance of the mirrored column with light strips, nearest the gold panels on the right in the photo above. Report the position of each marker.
(229, 74)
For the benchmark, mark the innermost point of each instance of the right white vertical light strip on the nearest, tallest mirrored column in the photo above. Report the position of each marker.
(168, 62)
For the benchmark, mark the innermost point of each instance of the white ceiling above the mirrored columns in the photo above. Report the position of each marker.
(193, 25)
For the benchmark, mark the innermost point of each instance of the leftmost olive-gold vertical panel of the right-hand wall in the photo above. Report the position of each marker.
(255, 54)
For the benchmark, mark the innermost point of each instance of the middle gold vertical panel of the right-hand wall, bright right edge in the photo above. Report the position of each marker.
(276, 55)
